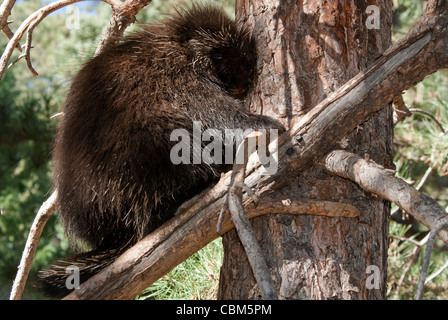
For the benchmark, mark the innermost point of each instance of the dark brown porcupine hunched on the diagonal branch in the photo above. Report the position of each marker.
(115, 180)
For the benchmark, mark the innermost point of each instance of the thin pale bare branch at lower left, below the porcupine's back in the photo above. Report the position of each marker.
(44, 213)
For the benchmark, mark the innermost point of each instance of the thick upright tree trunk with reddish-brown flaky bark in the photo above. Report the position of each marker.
(307, 49)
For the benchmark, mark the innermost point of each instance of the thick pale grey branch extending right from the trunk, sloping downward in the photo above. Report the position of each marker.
(374, 178)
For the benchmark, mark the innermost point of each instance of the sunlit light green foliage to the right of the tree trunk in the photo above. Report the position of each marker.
(419, 144)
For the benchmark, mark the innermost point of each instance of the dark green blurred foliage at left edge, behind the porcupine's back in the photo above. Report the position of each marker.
(25, 139)
